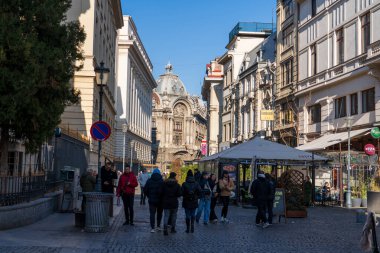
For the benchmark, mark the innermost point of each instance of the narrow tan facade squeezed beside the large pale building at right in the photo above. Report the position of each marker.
(286, 106)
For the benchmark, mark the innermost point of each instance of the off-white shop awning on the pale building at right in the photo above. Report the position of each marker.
(331, 139)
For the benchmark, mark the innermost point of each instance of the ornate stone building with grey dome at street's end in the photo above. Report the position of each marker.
(178, 123)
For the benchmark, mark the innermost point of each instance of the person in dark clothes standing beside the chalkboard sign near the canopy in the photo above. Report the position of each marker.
(260, 191)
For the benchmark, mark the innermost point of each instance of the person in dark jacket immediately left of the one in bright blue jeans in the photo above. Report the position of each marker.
(190, 192)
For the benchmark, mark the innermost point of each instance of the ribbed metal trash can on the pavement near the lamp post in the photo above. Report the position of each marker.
(97, 212)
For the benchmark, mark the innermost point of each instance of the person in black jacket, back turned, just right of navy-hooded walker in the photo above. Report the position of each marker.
(171, 191)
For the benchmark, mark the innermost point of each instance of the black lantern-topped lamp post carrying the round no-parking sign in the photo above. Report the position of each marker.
(101, 74)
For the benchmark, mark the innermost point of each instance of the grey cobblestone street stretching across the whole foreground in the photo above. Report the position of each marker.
(326, 230)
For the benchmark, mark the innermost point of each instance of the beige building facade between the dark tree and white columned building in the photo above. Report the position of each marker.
(101, 20)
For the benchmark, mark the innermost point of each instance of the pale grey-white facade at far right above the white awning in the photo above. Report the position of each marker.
(339, 68)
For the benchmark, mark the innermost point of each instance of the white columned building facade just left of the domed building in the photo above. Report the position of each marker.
(135, 84)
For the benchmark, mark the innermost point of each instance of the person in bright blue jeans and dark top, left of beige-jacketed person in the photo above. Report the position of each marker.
(204, 199)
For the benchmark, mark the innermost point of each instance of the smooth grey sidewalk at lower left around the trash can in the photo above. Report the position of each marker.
(56, 233)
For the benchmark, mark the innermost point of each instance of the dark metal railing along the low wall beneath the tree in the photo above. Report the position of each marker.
(19, 189)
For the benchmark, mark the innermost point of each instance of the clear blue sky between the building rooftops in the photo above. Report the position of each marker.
(190, 33)
